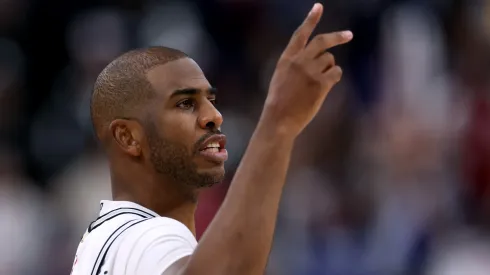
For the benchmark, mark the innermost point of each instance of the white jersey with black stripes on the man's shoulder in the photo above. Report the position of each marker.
(128, 239)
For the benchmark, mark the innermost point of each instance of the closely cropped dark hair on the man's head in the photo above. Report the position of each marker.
(122, 88)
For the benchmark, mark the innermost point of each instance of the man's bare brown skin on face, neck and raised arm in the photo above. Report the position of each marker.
(239, 238)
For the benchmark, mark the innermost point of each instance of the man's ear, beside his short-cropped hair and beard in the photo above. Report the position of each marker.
(128, 135)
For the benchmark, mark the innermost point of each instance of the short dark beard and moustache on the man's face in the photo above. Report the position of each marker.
(173, 160)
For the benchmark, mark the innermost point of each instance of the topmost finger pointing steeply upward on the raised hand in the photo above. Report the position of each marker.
(302, 34)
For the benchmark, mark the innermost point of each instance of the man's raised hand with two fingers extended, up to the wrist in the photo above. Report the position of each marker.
(303, 77)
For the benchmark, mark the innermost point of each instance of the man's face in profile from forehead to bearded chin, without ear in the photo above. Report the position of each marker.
(183, 130)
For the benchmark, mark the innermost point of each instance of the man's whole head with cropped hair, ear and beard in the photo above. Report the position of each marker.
(155, 107)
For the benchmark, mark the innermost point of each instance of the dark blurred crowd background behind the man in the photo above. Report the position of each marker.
(392, 177)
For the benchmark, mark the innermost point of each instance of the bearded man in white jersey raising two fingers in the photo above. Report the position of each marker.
(153, 111)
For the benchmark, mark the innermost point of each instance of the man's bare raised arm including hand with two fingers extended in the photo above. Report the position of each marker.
(238, 240)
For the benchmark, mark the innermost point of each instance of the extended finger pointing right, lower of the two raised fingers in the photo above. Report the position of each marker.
(323, 42)
